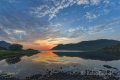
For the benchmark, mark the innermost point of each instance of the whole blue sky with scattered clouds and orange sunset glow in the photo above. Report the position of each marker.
(43, 24)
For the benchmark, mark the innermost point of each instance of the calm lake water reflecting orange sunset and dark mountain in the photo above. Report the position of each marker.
(23, 66)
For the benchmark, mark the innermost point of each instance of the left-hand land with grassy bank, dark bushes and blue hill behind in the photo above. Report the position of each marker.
(7, 49)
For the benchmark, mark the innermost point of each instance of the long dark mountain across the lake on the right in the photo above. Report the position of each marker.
(86, 45)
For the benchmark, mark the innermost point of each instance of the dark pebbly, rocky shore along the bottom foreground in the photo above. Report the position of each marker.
(67, 75)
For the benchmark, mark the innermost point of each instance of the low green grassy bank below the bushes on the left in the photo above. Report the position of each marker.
(4, 53)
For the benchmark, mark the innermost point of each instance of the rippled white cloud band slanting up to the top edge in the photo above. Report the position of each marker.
(53, 7)
